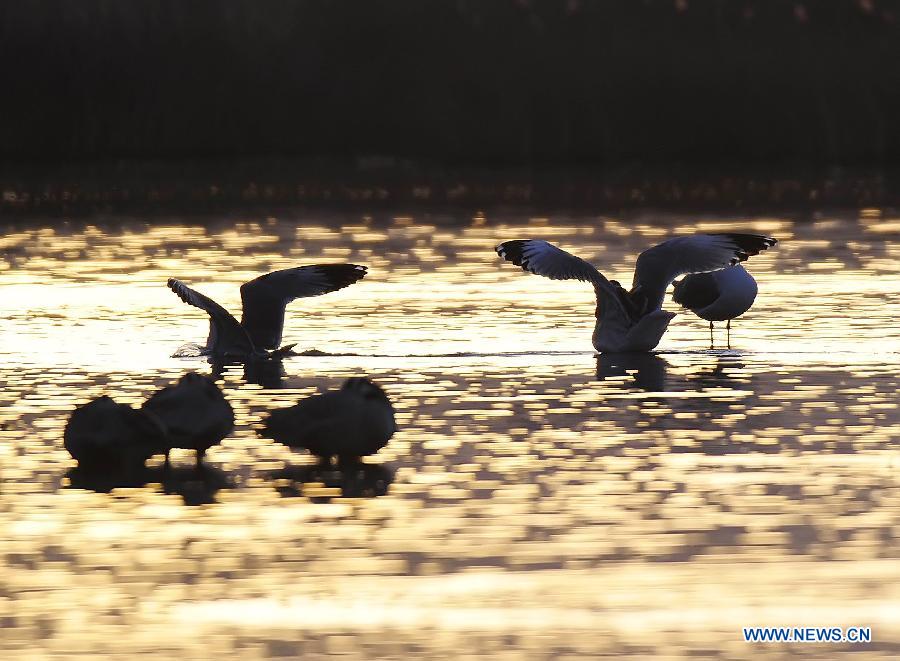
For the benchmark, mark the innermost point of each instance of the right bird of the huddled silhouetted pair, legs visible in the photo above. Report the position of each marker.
(195, 414)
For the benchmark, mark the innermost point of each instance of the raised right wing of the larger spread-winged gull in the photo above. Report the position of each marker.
(658, 266)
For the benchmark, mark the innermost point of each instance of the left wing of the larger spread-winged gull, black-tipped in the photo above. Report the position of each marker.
(543, 258)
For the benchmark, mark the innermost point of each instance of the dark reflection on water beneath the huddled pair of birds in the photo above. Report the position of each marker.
(196, 486)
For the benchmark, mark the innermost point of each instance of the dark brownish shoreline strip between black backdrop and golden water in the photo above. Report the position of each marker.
(271, 186)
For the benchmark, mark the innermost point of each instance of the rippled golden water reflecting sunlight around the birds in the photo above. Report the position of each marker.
(538, 501)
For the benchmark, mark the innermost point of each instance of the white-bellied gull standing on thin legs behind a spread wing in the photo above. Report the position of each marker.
(717, 296)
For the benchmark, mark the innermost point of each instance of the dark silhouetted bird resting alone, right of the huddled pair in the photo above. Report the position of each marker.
(355, 421)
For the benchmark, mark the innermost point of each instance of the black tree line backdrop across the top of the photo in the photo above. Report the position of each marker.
(483, 82)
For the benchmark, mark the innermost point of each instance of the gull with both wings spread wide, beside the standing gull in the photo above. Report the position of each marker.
(633, 320)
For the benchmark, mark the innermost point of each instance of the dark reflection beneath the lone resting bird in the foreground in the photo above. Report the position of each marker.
(321, 483)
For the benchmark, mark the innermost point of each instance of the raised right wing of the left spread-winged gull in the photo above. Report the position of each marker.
(265, 298)
